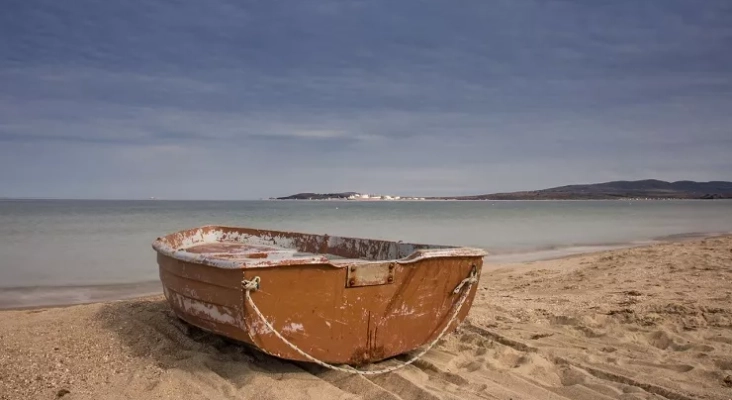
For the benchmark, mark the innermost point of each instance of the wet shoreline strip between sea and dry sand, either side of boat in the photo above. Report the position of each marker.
(47, 296)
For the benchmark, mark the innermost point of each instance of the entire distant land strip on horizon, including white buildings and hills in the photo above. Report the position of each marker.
(649, 189)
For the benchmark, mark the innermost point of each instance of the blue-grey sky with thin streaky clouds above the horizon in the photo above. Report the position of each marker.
(250, 99)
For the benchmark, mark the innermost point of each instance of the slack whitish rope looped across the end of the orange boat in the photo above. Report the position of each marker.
(253, 285)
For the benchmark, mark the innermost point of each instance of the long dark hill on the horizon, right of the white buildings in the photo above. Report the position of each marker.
(650, 188)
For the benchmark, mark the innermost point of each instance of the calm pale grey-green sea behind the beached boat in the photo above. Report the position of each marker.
(59, 243)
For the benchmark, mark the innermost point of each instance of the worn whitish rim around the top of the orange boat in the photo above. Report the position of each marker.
(422, 251)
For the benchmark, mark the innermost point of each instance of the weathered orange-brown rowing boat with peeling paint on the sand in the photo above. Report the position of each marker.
(310, 297)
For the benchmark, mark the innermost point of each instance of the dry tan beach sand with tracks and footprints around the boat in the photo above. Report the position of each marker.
(643, 323)
